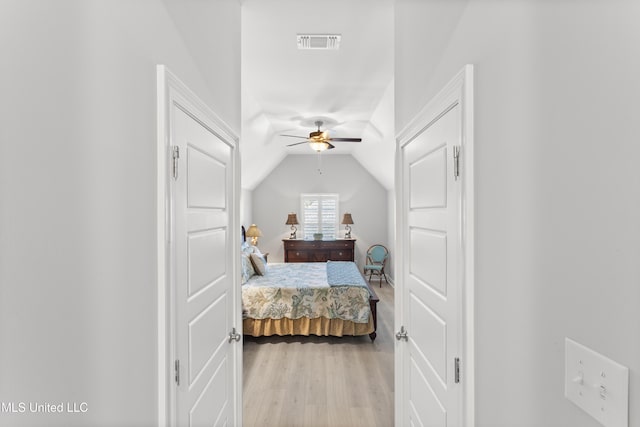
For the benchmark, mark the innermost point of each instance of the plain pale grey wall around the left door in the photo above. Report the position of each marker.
(77, 190)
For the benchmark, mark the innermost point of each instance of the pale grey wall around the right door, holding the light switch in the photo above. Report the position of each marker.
(557, 203)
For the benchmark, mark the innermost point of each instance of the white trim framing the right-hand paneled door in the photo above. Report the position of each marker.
(459, 91)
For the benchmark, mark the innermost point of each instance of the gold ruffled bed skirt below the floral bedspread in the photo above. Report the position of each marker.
(320, 326)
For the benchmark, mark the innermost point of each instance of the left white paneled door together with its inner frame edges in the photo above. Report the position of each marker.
(203, 346)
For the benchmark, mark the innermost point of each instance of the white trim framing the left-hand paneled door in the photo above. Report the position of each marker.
(171, 91)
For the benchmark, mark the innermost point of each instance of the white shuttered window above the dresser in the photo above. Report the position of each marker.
(319, 215)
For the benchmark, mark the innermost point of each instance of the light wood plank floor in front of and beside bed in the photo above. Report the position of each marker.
(322, 381)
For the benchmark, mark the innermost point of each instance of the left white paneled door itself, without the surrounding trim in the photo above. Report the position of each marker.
(203, 267)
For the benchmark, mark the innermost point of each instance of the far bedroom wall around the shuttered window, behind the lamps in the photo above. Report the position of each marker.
(359, 193)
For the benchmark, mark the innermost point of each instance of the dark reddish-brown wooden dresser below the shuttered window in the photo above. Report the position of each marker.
(319, 250)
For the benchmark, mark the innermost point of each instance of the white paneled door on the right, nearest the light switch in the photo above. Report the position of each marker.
(431, 322)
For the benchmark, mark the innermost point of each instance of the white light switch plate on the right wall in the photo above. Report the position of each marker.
(597, 384)
